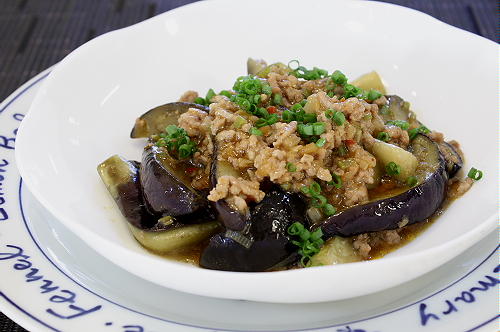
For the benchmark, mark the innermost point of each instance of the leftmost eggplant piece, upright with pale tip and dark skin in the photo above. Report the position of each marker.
(122, 181)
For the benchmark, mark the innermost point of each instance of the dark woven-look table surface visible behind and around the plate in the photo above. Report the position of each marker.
(35, 34)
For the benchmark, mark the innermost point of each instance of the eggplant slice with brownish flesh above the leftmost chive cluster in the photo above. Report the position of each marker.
(155, 120)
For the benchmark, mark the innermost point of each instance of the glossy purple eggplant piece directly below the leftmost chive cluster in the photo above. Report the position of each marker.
(166, 187)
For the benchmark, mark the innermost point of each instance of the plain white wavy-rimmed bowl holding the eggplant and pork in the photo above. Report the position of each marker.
(85, 109)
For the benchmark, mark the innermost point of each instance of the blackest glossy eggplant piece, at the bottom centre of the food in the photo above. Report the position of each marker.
(266, 243)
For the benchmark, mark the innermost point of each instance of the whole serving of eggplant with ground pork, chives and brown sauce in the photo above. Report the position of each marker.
(292, 167)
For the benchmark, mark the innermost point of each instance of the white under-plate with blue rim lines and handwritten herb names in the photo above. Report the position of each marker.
(462, 295)
